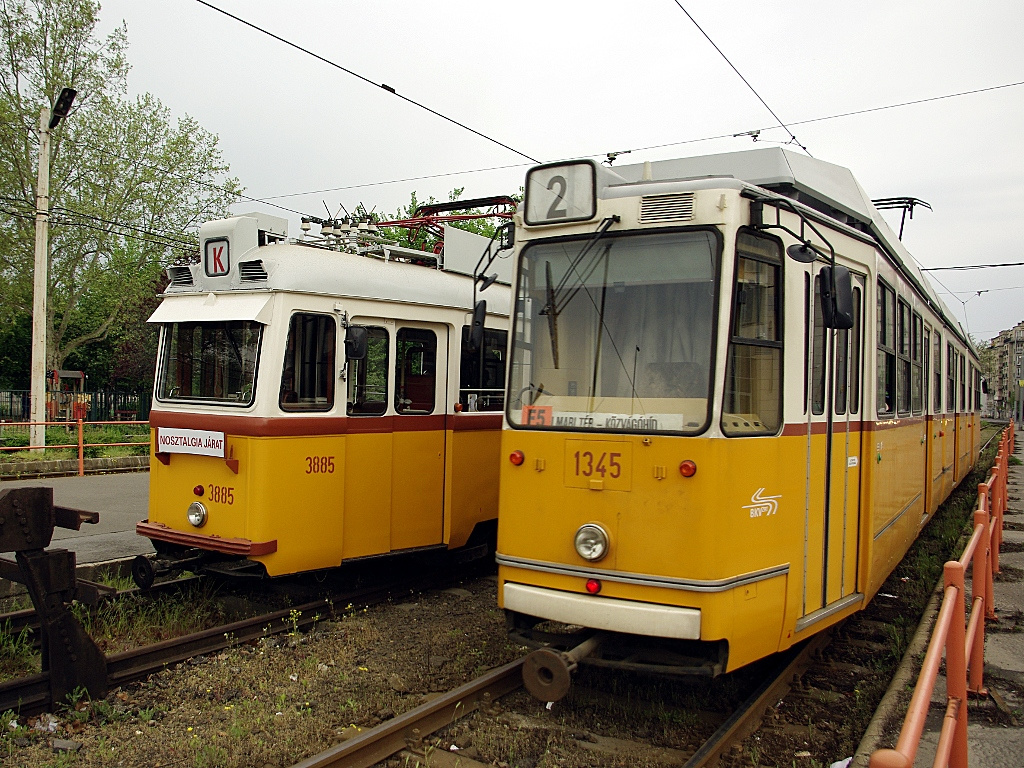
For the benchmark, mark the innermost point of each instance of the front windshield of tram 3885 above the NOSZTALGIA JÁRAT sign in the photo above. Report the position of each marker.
(210, 362)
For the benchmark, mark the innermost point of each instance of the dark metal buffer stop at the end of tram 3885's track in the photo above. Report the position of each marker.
(69, 655)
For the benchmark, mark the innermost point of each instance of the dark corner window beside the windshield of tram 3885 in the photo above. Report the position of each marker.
(308, 378)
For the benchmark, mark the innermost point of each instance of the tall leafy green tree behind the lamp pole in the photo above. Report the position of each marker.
(129, 185)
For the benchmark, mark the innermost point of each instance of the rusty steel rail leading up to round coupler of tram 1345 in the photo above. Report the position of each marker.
(381, 743)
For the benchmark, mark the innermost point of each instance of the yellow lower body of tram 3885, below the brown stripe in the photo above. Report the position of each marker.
(315, 501)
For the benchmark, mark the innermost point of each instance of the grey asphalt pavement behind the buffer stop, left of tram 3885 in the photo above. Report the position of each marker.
(122, 500)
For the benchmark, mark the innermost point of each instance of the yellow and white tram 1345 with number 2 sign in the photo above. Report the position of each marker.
(734, 402)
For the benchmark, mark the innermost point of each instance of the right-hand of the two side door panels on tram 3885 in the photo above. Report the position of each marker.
(418, 443)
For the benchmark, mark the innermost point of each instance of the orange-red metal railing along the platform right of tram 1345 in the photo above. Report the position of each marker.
(964, 647)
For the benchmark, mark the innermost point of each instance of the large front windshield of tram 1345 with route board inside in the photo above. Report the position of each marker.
(618, 337)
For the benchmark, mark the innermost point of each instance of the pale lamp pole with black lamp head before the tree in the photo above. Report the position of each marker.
(40, 284)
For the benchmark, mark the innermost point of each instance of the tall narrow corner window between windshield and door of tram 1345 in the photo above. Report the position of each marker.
(754, 368)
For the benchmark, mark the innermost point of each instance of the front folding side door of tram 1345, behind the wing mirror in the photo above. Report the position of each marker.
(835, 411)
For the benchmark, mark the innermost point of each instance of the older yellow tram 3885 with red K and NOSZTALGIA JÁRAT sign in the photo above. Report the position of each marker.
(325, 400)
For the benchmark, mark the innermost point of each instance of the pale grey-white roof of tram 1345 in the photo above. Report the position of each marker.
(825, 187)
